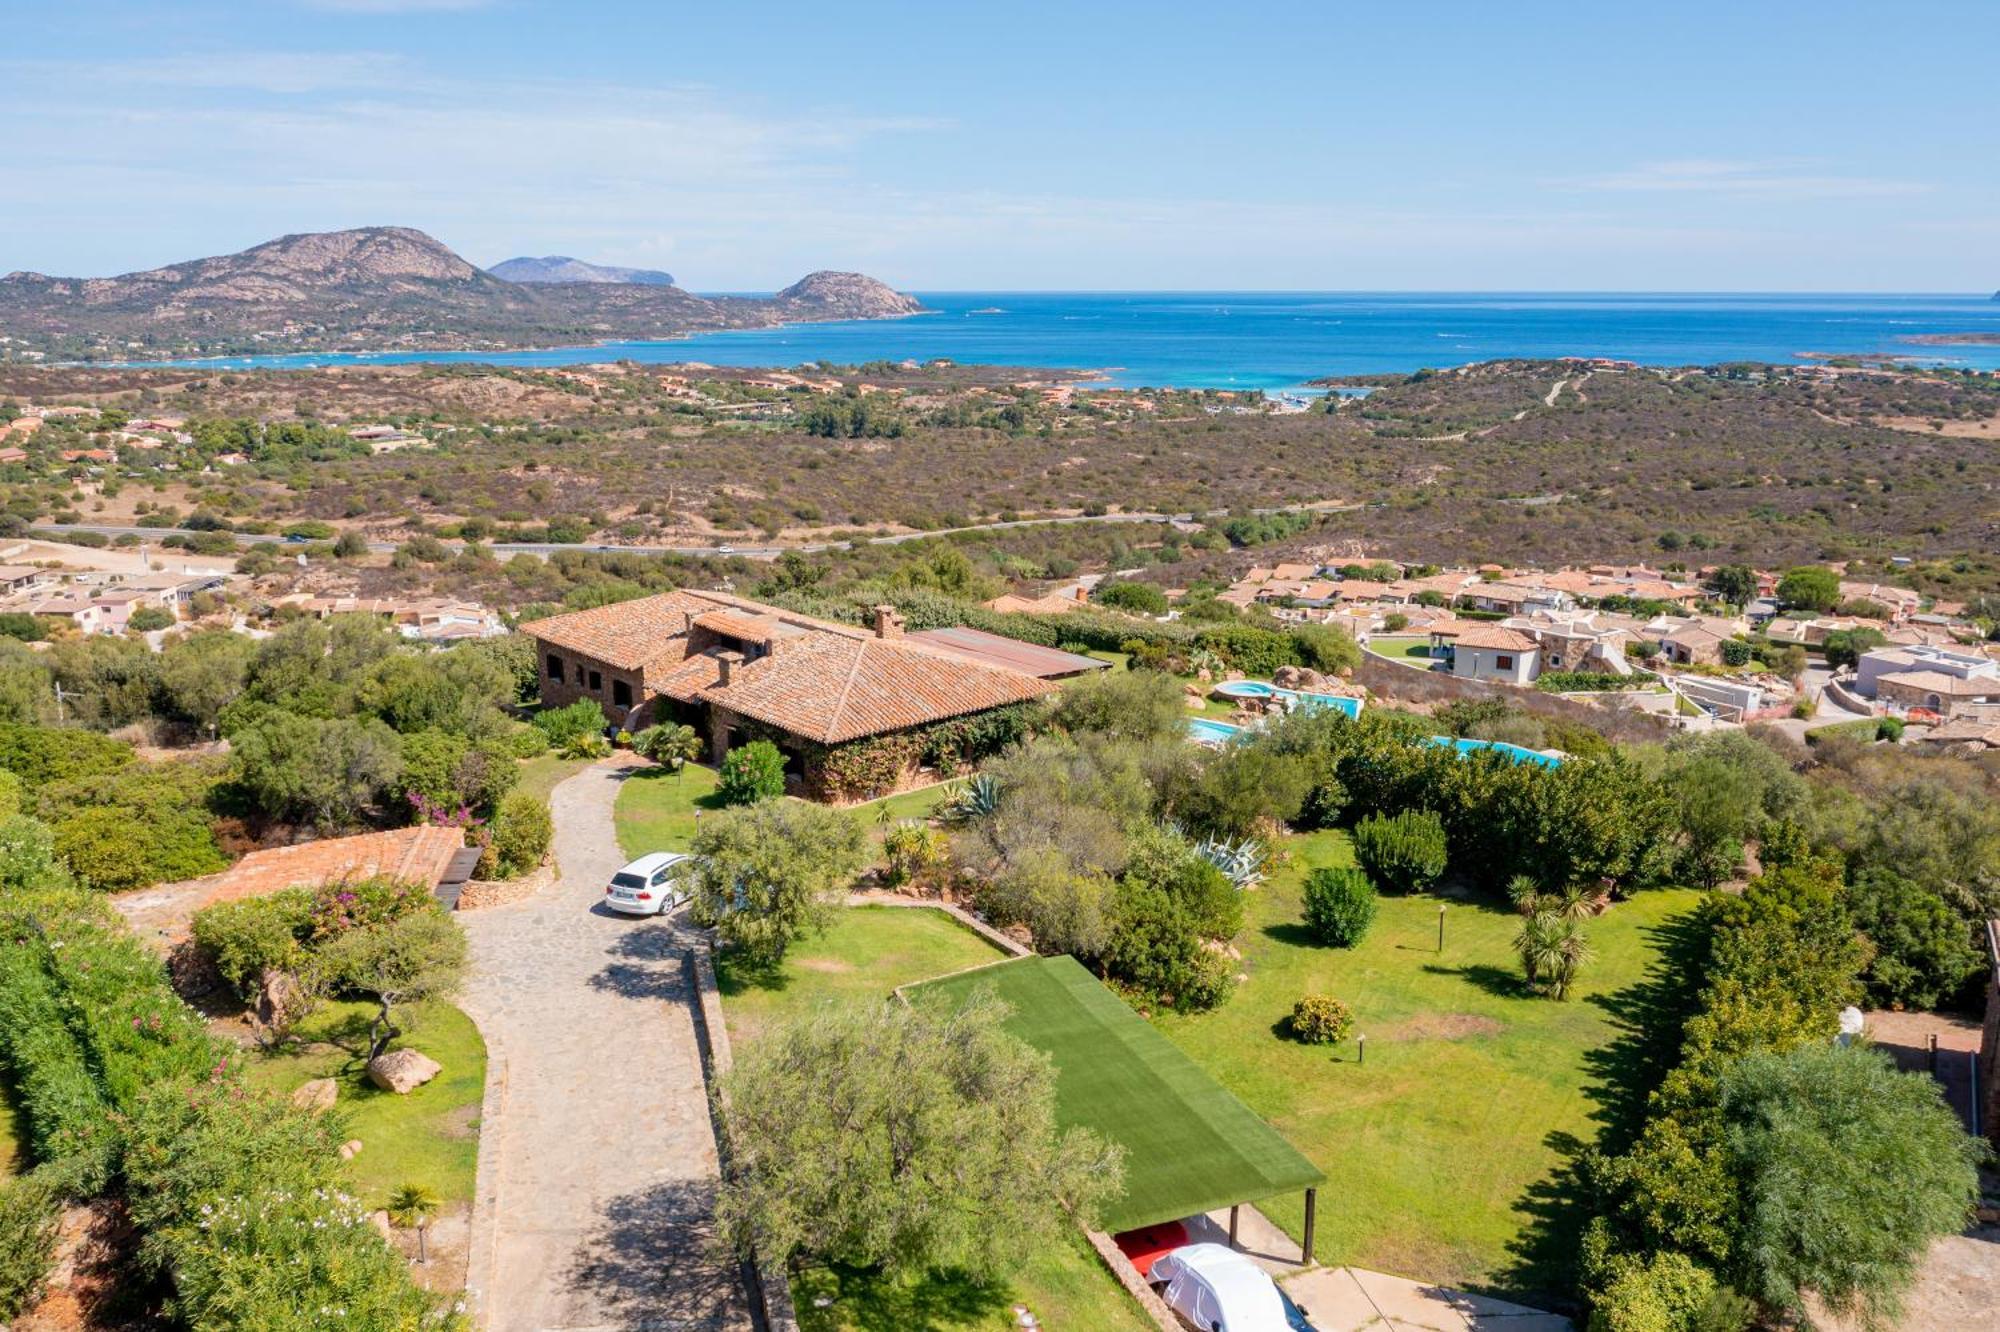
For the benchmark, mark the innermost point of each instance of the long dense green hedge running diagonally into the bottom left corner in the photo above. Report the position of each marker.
(235, 1191)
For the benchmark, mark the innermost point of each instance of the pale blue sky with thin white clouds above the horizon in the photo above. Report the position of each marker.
(1029, 147)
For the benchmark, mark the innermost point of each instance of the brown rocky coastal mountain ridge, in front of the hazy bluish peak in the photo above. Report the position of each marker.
(383, 289)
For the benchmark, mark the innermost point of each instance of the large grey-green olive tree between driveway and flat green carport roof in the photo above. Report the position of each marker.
(947, 1151)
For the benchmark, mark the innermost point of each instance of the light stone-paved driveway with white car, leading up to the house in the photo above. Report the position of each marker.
(597, 1157)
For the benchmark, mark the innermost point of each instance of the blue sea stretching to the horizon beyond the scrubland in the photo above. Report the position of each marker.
(1281, 339)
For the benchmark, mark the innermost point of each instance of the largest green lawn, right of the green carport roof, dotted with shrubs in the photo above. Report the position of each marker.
(1447, 1151)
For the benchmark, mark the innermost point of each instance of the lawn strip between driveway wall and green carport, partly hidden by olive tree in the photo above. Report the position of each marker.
(861, 961)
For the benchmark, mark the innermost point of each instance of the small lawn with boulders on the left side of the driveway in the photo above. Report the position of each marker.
(427, 1137)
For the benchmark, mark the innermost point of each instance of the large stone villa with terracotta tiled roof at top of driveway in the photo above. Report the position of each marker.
(741, 671)
